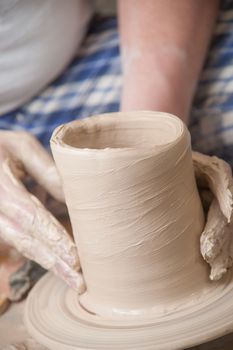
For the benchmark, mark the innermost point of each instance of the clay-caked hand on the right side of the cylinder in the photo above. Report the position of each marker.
(216, 239)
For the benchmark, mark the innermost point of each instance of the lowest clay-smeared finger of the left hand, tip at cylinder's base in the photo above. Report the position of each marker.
(34, 249)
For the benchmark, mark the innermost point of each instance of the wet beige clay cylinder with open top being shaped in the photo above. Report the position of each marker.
(135, 210)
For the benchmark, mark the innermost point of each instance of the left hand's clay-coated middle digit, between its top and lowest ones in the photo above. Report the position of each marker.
(33, 219)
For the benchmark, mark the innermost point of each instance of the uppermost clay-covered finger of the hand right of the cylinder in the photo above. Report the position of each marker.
(218, 176)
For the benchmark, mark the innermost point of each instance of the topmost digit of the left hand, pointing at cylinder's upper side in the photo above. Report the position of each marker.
(35, 159)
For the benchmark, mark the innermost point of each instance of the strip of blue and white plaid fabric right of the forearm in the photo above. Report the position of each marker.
(212, 114)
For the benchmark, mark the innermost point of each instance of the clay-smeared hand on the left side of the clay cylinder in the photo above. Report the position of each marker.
(24, 222)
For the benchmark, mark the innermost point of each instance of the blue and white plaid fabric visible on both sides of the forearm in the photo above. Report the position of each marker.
(92, 85)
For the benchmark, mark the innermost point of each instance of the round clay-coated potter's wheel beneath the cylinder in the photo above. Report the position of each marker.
(55, 318)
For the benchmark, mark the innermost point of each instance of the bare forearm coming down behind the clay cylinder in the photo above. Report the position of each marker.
(163, 46)
